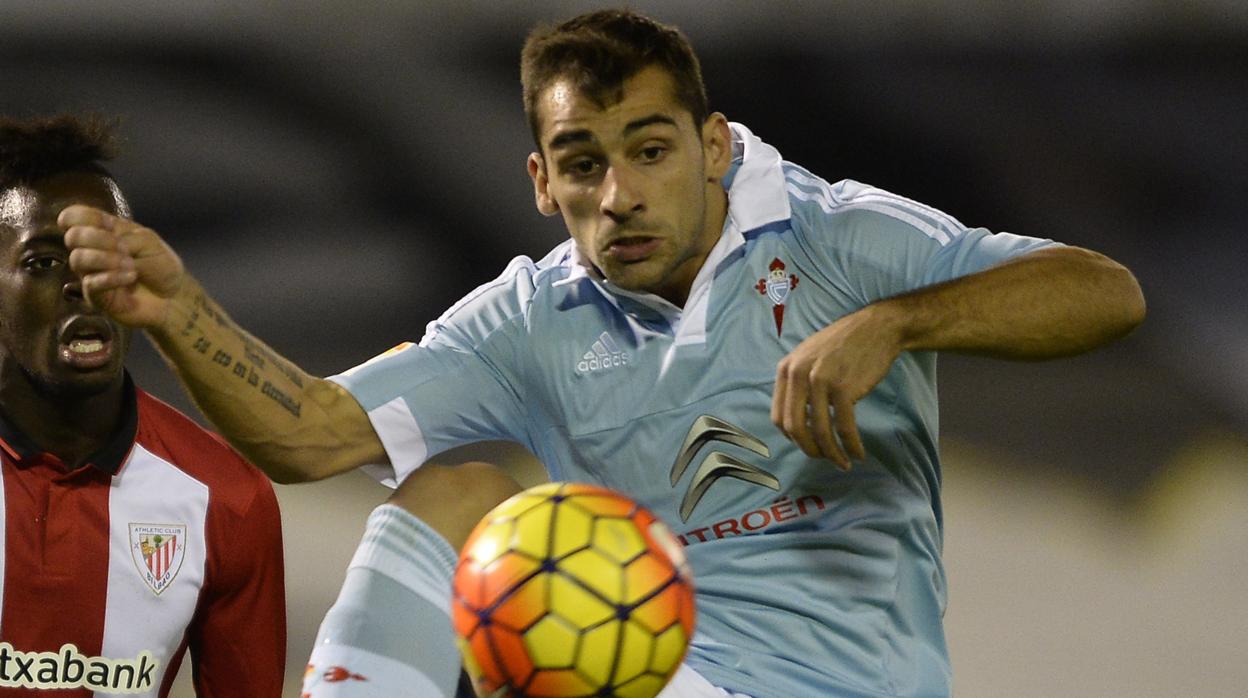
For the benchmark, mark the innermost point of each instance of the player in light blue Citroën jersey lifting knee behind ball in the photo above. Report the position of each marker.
(744, 348)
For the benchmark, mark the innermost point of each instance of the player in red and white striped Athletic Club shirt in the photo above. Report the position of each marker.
(128, 534)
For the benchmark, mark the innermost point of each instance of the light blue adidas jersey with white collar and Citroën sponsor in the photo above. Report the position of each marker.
(811, 581)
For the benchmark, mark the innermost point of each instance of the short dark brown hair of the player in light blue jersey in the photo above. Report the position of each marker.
(603, 49)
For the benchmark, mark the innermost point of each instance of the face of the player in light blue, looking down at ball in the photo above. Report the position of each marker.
(637, 182)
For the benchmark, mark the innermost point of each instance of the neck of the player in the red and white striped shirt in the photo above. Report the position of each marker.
(71, 428)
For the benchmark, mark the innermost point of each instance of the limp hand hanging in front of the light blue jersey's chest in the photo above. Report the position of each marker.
(827, 374)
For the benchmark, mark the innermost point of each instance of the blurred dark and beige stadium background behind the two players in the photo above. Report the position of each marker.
(338, 173)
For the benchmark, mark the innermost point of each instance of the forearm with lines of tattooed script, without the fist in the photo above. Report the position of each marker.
(294, 426)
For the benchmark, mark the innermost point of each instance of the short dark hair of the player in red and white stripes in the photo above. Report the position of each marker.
(39, 148)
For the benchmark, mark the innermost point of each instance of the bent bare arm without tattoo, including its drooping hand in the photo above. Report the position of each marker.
(1053, 303)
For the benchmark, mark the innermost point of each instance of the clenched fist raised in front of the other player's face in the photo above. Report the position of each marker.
(127, 269)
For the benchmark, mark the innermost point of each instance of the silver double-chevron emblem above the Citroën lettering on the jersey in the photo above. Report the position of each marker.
(718, 464)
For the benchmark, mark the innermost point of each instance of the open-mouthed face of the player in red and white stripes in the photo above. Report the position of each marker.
(49, 338)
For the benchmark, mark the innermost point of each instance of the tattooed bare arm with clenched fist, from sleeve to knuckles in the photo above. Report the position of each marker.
(294, 426)
